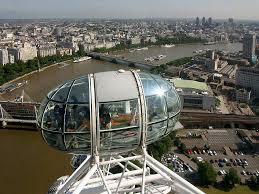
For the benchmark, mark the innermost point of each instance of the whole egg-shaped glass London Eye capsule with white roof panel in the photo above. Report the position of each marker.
(111, 112)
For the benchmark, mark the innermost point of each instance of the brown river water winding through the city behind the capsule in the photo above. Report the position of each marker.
(28, 165)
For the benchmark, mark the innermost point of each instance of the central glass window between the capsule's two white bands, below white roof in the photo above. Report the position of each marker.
(119, 125)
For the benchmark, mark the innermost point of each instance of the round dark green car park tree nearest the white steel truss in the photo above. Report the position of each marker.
(207, 174)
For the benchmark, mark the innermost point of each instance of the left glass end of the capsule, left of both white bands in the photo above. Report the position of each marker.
(65, 116)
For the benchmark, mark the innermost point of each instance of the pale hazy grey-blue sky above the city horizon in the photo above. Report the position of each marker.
(220, 9)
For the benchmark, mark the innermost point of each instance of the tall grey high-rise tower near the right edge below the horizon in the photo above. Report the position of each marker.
(249, 44)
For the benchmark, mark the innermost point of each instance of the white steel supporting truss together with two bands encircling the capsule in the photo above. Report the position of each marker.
(94, 175)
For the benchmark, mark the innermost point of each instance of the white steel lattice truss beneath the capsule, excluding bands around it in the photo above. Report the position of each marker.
(94, 176)
